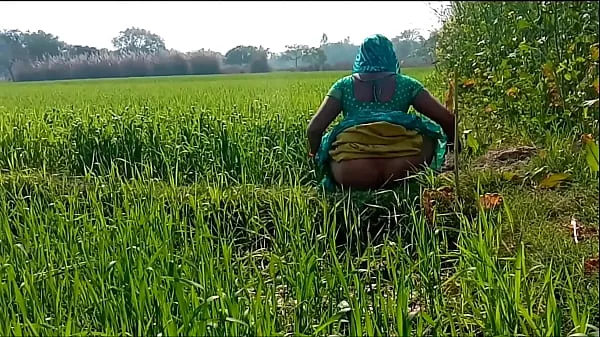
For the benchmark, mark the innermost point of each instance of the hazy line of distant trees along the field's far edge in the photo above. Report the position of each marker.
(29, 56)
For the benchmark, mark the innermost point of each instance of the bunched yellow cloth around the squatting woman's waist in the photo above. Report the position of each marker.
(376, 140)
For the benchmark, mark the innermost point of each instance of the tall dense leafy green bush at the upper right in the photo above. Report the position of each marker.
(524, 63)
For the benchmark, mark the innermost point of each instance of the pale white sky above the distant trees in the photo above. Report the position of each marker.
(219, 25)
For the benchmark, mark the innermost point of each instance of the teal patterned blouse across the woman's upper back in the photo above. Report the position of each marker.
(363, 93)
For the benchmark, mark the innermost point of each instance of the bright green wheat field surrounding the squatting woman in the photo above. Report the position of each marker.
(188, 206)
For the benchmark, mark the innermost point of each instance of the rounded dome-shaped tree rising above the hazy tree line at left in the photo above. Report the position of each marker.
(137, 40)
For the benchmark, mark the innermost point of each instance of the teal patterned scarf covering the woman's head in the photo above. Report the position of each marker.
(376, 54)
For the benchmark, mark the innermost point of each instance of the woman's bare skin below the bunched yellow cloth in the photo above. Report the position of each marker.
(375, 173)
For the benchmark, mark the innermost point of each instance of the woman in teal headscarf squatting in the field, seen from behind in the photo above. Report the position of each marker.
(378, 141)
